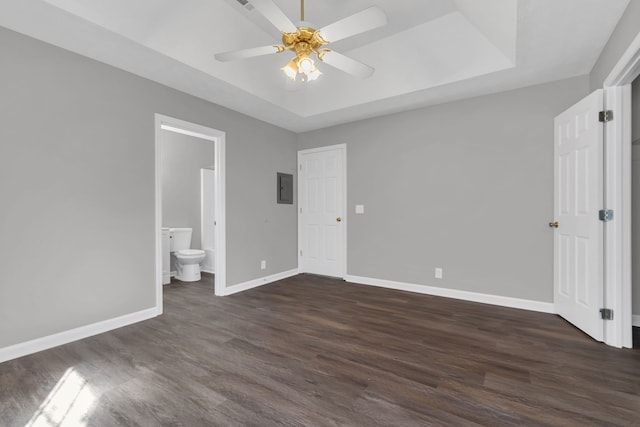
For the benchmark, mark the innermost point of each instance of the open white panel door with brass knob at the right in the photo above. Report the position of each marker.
(578, 240)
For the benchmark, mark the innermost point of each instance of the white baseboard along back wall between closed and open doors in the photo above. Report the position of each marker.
(544, 307)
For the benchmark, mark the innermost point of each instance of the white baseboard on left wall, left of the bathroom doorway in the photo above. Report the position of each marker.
(50, 341)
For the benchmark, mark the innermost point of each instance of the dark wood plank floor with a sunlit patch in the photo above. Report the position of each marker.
(320, 352)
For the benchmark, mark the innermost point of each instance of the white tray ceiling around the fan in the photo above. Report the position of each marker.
(431, 51)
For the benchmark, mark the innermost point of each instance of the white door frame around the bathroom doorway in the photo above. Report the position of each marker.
(218, 137)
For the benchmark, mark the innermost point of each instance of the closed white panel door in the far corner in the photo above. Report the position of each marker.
(322, 219)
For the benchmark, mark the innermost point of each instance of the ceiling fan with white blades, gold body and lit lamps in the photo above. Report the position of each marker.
(306, 41)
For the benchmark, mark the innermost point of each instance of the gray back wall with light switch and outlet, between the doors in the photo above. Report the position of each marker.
(466, 186)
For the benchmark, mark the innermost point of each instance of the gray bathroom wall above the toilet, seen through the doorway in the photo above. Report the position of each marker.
(182, 158)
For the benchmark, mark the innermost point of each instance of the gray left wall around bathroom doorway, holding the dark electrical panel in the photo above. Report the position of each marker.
(77, 189)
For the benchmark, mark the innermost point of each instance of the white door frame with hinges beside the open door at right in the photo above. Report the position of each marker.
(617, 239)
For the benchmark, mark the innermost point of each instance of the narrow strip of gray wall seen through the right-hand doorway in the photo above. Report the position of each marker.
(635, 188)
